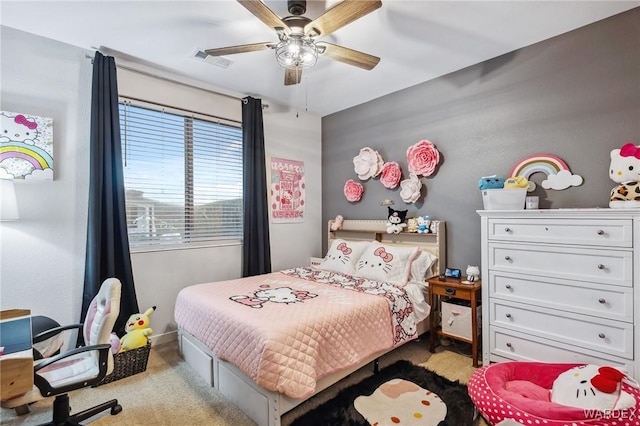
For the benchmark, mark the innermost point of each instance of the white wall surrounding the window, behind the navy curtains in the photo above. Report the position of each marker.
(42, 255)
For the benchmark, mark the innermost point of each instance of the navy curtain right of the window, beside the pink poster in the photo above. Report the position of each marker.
(256, 251)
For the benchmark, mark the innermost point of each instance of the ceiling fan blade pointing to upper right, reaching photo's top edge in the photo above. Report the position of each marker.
(339, 16)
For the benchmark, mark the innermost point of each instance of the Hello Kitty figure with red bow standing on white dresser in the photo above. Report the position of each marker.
(624, 169)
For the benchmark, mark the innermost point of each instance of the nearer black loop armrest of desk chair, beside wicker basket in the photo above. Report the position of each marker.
(48, 390)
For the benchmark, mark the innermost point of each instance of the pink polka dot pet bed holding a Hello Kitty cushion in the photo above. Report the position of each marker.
(521, 391)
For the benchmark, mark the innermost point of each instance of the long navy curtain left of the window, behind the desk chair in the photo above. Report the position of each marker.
(107, 240)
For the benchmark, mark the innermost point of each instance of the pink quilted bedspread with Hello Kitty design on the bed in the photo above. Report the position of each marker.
(286, 330)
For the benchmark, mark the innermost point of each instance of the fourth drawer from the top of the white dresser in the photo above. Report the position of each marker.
(599, 334)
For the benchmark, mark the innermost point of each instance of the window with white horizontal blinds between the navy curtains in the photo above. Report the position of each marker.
(183, 177)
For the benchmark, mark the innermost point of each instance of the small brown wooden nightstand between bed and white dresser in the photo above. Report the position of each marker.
(453, 288)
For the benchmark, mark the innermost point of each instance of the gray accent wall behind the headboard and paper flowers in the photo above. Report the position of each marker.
(575, 96)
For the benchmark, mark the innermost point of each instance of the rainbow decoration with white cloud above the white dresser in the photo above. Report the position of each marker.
(557, 171)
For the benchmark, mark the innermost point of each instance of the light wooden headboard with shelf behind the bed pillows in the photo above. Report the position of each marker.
(369, 230)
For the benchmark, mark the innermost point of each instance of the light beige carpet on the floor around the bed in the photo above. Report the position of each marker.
(170, 393)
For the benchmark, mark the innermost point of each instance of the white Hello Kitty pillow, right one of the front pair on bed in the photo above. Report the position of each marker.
(386, 263)
